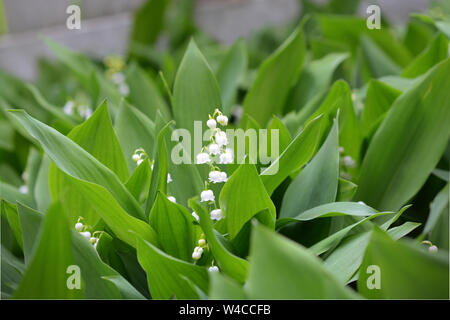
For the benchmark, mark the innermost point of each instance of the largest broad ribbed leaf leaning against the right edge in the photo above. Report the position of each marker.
(408, 144)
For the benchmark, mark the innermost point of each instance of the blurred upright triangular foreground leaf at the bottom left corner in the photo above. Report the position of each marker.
(44, 280)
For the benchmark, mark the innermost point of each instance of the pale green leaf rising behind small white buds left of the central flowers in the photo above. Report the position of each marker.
(134, 130)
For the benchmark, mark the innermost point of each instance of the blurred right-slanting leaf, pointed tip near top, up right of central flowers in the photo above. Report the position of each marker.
(276, 75)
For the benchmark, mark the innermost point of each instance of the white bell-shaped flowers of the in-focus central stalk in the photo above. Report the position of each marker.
(215, 152)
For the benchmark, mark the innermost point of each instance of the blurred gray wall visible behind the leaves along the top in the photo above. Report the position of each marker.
(106, 24)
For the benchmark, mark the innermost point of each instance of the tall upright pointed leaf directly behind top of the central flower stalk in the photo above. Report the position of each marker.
(196, 92)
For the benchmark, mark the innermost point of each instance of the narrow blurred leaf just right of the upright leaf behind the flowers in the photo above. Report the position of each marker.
(230, 71)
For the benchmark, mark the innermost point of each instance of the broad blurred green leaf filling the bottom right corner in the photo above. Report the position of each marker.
(406, 271)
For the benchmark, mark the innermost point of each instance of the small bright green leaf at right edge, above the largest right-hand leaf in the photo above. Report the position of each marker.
(436, 51)
